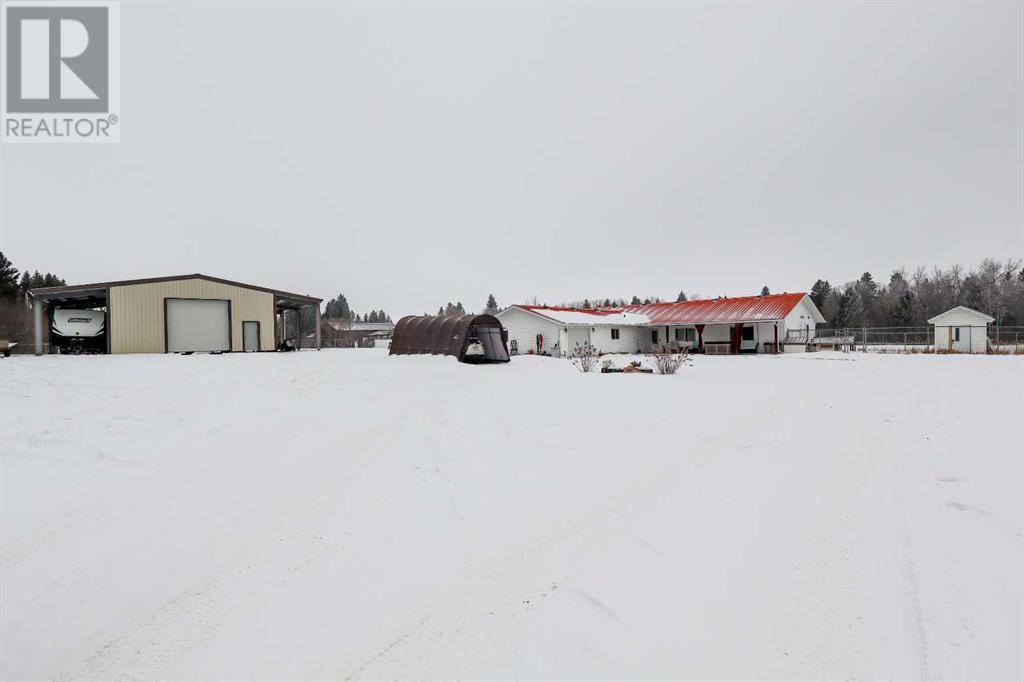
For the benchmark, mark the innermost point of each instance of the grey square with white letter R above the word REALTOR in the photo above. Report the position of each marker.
(58, 60)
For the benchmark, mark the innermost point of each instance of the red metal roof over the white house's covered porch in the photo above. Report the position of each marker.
(718, 311)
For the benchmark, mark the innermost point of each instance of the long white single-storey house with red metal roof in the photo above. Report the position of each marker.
(770, 324)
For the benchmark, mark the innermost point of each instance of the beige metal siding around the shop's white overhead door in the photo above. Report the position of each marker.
(138, 313)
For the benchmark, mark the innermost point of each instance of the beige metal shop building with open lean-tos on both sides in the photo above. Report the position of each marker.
(182, 314)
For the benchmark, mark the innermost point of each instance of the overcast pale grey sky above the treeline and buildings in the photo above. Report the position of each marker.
(412, 155)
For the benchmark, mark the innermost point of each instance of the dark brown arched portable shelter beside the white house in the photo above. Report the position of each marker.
(452, 335)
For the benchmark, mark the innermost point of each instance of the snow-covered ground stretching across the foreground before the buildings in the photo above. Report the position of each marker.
(346, 515)
